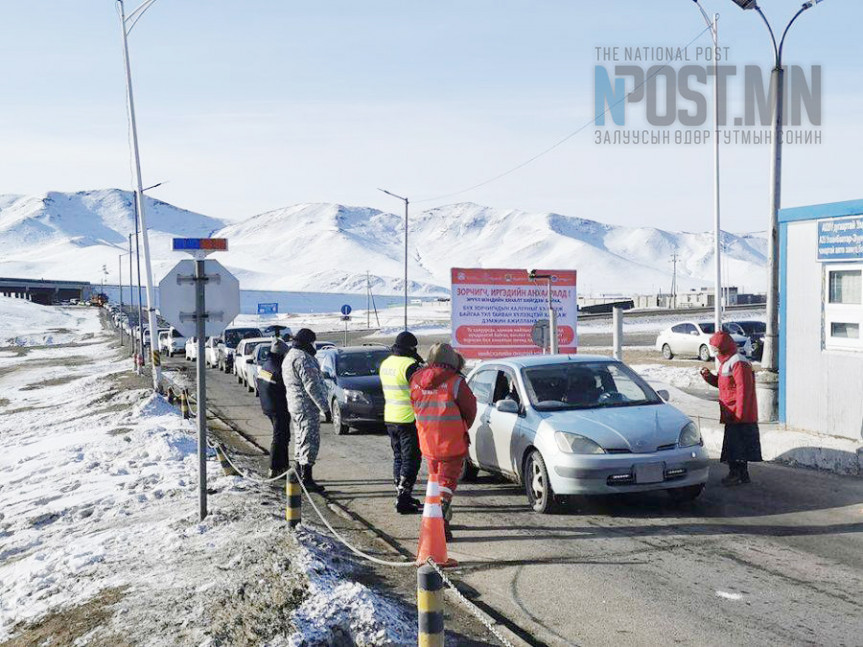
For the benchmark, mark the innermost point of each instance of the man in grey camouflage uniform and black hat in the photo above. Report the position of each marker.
(307, 398)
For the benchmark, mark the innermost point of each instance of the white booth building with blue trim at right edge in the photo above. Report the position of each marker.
(821, 319)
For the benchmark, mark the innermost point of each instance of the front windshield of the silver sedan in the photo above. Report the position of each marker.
(586, 385)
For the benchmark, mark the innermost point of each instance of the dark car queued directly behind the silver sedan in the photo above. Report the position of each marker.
(353, 385)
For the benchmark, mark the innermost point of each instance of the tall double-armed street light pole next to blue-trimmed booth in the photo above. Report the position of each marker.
(770, 358)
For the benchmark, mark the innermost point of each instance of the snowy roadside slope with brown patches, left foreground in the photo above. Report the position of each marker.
(98, 506)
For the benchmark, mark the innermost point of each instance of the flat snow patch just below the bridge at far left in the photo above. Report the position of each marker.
(23, 323)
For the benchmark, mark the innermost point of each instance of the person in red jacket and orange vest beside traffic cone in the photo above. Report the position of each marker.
(445, 408)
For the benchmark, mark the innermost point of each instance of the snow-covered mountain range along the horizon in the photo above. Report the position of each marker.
(330, 247)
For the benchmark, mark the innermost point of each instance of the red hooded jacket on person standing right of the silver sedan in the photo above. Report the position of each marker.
(736, 382)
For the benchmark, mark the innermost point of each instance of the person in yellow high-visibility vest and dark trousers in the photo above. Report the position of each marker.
(395, 372)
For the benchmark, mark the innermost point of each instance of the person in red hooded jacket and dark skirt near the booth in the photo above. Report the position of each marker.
(738, 408)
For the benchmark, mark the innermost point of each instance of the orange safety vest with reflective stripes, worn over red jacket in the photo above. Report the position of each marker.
(441, 429)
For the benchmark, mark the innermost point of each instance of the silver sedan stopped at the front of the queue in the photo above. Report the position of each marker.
(580, 425)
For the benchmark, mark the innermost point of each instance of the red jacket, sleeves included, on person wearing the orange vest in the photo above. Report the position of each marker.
(445, 408)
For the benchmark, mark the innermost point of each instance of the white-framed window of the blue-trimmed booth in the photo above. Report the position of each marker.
(843, 307)
